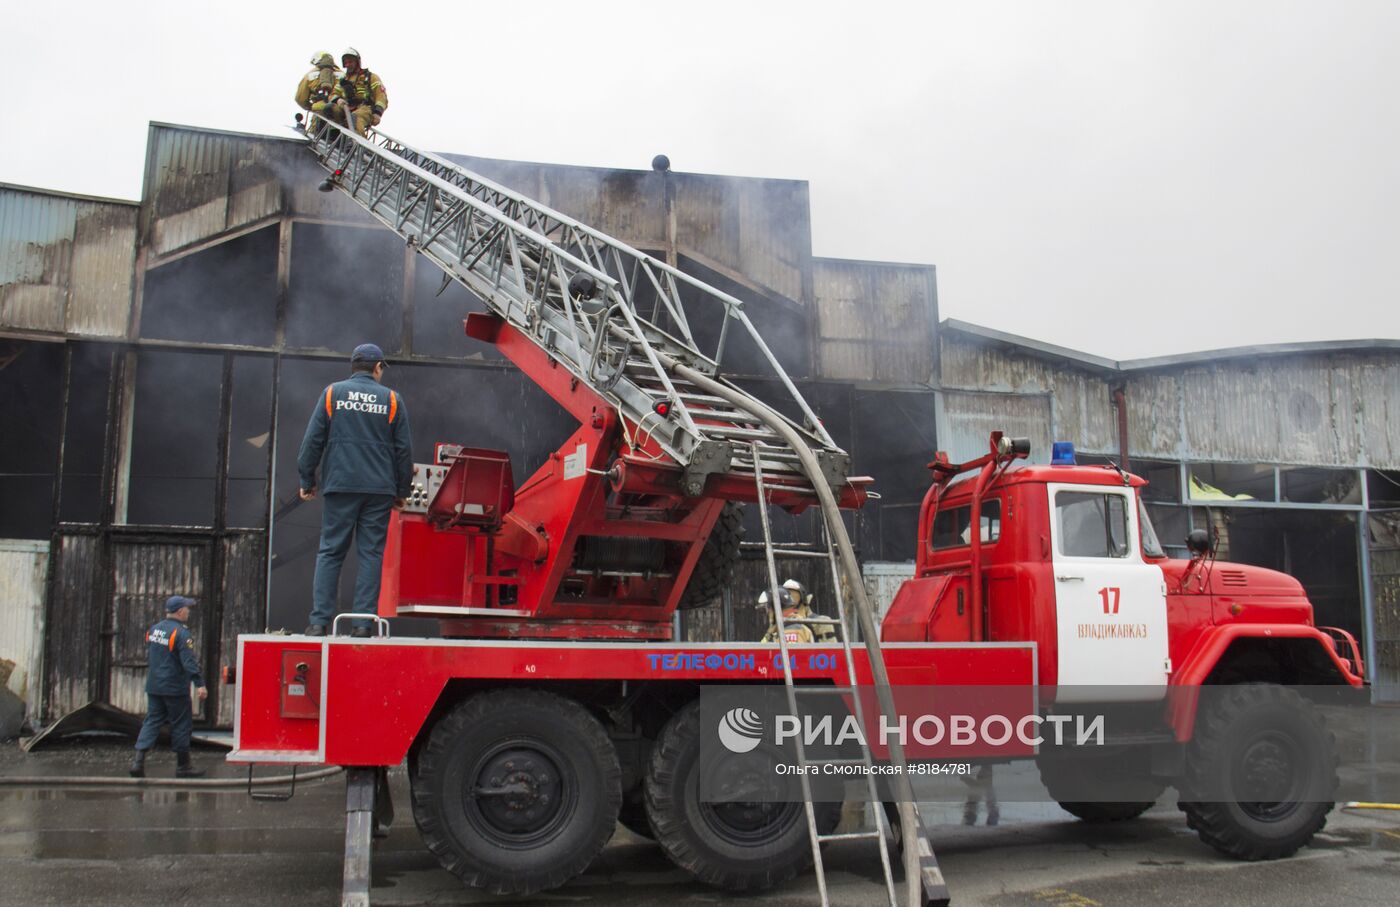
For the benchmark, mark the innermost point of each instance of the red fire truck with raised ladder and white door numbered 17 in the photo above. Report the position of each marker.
(555, 703)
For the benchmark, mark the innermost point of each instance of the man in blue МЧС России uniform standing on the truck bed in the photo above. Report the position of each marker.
(359, 437)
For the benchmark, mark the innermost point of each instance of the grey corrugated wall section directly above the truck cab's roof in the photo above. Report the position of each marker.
(1083, 409)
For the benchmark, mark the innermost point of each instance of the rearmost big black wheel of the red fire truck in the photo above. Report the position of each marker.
(517, 792)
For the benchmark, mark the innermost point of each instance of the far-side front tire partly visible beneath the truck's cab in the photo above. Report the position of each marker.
(1122, 780)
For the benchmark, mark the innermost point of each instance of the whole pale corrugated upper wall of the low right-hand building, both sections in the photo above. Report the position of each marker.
(1301, 407)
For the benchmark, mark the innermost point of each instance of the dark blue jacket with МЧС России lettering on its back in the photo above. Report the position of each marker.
(359, 436)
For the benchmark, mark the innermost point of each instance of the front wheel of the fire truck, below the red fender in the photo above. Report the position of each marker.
(1261, 773)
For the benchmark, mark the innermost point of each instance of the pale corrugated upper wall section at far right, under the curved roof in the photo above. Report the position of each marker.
(1335, 411)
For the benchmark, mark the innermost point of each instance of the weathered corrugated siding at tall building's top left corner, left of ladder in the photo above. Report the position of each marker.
(205, 184)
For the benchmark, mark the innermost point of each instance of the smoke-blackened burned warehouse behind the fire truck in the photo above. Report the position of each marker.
(160, 359)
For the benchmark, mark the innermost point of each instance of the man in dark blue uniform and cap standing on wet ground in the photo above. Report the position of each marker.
(171, 668)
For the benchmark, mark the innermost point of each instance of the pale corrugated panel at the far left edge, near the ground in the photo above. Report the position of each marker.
(24, 568)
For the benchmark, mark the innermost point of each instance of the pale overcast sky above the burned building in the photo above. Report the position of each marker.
(1123, 178)
